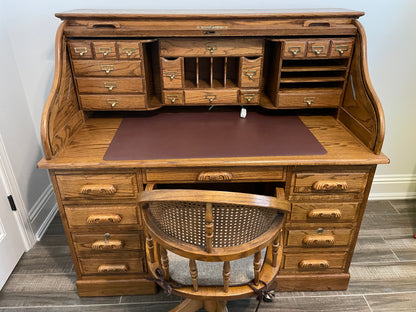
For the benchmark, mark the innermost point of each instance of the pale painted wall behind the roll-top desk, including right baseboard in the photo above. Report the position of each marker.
(28, 33)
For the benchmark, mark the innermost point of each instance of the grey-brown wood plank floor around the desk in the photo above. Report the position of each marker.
(383, 274)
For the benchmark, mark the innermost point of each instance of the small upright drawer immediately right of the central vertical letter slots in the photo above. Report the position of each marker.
(250, 72)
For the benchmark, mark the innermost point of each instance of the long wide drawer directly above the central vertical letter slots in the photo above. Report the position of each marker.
(211, 47)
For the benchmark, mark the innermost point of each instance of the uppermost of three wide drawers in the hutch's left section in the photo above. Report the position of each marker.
(107, 68)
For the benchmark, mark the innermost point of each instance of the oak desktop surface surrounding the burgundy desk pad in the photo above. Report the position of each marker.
(89, 144)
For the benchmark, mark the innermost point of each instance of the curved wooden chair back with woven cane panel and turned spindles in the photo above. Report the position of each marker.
(212, 226)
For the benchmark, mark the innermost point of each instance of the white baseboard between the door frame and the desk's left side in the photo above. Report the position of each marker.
(43, 211)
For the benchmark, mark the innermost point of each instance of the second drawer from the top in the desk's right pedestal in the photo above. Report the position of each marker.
(324, 212)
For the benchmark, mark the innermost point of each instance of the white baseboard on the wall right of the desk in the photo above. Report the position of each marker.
(393, 186)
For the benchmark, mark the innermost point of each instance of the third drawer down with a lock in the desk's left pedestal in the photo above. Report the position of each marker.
(104, 243)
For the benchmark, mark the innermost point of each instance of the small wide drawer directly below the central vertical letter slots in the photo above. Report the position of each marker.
(211, 96)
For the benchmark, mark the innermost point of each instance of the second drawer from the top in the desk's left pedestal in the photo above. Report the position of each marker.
(103, 216)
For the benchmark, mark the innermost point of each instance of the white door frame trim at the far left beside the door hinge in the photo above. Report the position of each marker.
(8, 179)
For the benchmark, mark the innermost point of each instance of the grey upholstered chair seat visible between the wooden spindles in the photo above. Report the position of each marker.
(210, 273)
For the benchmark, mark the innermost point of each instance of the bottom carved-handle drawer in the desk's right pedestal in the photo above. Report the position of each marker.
(314, 263)
